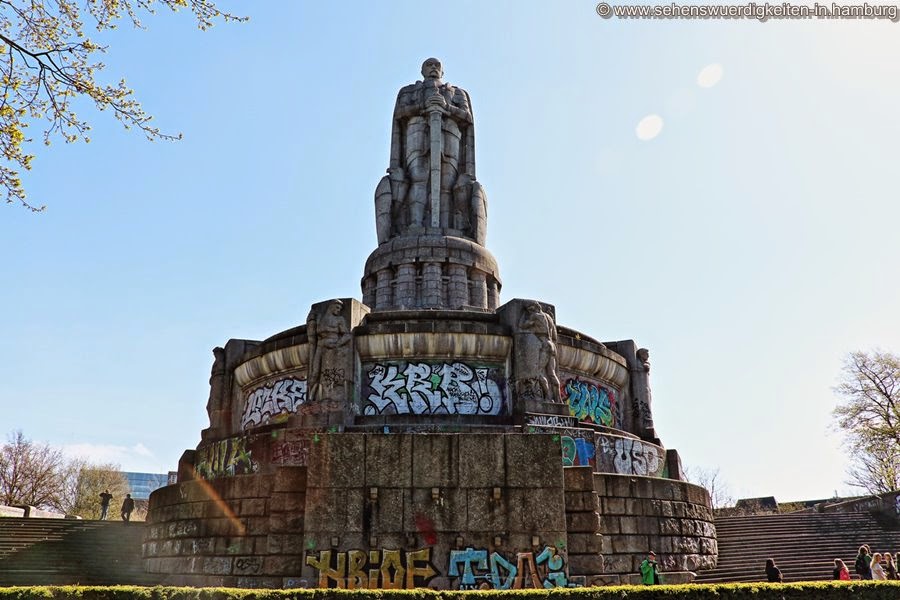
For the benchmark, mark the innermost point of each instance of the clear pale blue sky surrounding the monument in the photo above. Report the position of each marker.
(750, 245)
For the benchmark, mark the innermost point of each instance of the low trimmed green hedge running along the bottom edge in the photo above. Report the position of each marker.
(820, 590)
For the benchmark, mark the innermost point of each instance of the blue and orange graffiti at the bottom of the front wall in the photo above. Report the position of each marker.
(480, 569)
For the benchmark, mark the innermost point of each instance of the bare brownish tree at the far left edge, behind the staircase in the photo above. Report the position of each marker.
(30, 473)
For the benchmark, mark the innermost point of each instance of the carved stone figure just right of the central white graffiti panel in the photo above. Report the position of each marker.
(535, 353)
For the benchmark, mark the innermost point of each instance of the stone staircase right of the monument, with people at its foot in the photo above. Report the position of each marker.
(804, 545)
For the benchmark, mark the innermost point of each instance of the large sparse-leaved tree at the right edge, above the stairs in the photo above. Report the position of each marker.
(869, 415)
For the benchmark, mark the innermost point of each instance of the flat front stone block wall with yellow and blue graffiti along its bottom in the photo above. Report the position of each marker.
(435, 507)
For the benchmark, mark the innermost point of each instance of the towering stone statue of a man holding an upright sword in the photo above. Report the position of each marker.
(430, 185)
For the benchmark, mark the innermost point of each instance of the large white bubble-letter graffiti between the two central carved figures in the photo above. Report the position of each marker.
(432, 389)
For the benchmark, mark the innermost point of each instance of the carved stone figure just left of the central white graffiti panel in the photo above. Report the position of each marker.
(329, 353)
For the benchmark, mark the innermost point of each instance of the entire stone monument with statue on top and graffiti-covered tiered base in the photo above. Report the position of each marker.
(428, 436)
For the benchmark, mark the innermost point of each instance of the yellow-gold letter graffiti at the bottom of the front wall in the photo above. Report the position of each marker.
(373, 569)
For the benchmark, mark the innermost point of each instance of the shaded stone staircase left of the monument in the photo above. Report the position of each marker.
(64, 551)
